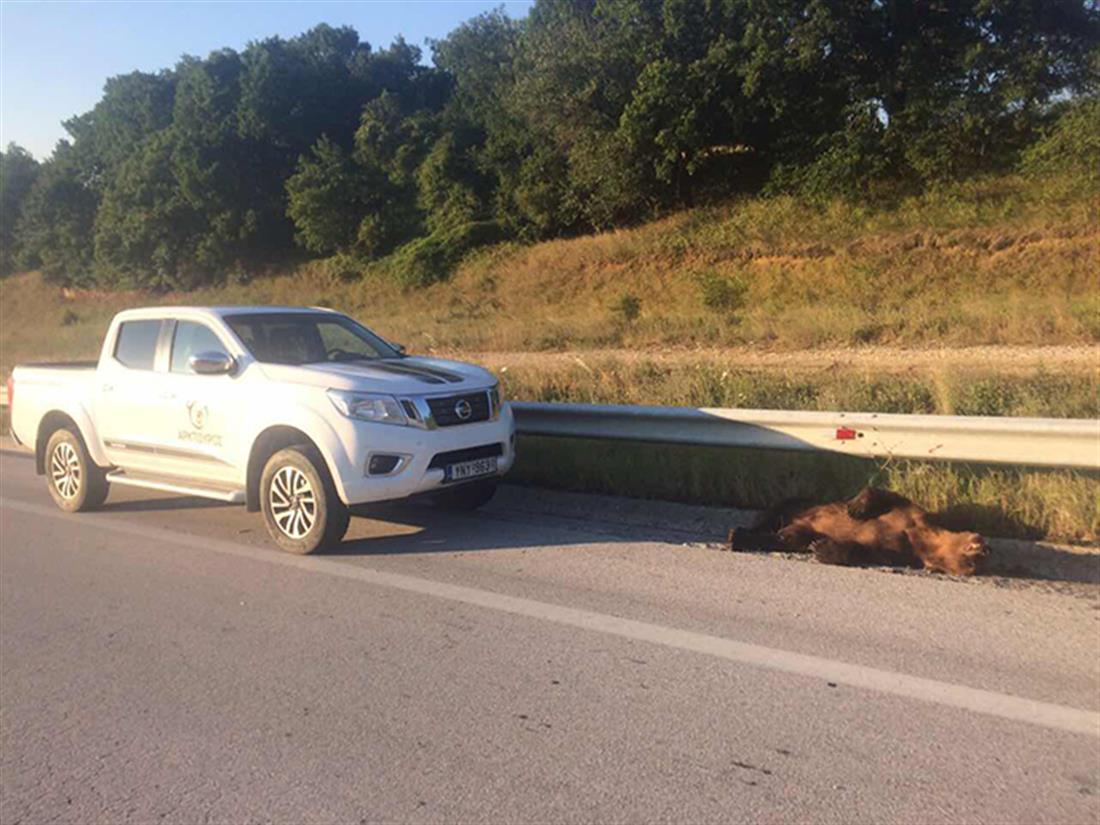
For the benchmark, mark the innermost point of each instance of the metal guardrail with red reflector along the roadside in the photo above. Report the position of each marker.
(1032, 442)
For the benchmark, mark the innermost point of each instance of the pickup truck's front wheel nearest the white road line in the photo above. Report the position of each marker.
(302, 509)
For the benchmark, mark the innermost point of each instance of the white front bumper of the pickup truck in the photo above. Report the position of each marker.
(361, 439)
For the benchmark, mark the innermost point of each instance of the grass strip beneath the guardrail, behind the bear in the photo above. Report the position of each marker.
(1005, 502)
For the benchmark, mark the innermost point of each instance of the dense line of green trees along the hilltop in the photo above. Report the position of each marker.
(585, 116)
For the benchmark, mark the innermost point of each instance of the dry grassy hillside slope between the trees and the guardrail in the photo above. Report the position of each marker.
(1004, 261)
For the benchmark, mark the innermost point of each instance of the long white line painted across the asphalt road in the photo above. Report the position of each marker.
(1007, 707)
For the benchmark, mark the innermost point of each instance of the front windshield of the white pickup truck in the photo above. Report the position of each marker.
(307, 338)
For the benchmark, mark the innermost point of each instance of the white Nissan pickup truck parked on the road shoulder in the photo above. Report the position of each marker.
(295, 412)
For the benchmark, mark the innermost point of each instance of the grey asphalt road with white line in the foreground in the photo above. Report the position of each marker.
(160, 664)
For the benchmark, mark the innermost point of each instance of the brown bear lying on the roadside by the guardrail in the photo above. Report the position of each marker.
(876, 527)
